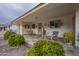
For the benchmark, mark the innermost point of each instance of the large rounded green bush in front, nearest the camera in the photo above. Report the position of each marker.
(46, 48)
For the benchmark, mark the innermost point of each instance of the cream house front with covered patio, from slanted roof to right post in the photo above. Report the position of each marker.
(49, 17)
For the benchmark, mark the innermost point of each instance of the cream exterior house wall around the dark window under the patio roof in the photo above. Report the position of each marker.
(67, 26)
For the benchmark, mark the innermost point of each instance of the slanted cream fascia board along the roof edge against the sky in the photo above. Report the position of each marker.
(38, 7)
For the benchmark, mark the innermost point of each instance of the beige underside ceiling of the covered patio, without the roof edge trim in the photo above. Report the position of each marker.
(48, 12)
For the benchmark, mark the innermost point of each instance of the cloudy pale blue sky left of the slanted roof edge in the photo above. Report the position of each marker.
(10, 11)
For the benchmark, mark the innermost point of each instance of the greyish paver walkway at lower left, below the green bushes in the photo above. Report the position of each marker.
(5, 50)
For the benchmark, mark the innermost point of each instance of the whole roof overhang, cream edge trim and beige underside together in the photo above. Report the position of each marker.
(46, 11)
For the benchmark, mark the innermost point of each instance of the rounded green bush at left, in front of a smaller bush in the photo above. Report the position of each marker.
(16, 40)
